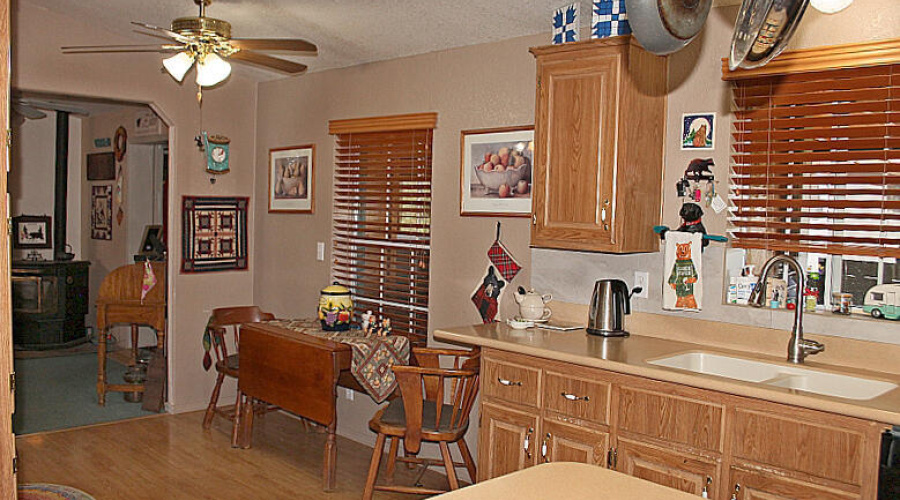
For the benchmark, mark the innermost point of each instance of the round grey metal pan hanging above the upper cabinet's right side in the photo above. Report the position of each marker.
(664, 26)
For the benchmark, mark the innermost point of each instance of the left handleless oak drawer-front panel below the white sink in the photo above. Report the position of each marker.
(677, 416)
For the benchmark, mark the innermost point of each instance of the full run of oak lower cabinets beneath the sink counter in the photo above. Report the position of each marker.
(538, 410)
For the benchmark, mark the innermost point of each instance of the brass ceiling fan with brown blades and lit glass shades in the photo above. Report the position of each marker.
(207, 42)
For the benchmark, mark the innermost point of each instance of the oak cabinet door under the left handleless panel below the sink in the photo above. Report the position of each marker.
(688, 473)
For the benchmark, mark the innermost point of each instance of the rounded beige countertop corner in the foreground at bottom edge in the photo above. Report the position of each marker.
(568, 480)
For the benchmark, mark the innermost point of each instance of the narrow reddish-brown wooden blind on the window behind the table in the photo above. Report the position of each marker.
(382, 225)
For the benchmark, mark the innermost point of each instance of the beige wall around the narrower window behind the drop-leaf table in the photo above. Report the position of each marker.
(477, 87)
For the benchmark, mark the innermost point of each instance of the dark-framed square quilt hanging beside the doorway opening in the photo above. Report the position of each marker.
(214, 234)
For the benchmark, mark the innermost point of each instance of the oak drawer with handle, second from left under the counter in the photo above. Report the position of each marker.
(577, 396)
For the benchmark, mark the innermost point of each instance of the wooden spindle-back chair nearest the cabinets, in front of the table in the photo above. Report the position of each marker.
(434, 406)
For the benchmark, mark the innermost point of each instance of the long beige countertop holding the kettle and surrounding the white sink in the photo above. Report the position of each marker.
(629, 355)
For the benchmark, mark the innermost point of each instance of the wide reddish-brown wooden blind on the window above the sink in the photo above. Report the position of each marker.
(816, 163)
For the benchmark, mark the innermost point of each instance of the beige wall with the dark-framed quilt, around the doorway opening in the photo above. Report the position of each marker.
(230, 110)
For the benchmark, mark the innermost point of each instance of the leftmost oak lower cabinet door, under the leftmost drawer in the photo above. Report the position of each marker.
(508, 441)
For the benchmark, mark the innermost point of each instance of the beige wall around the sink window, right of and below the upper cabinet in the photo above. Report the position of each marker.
(696, 86)
